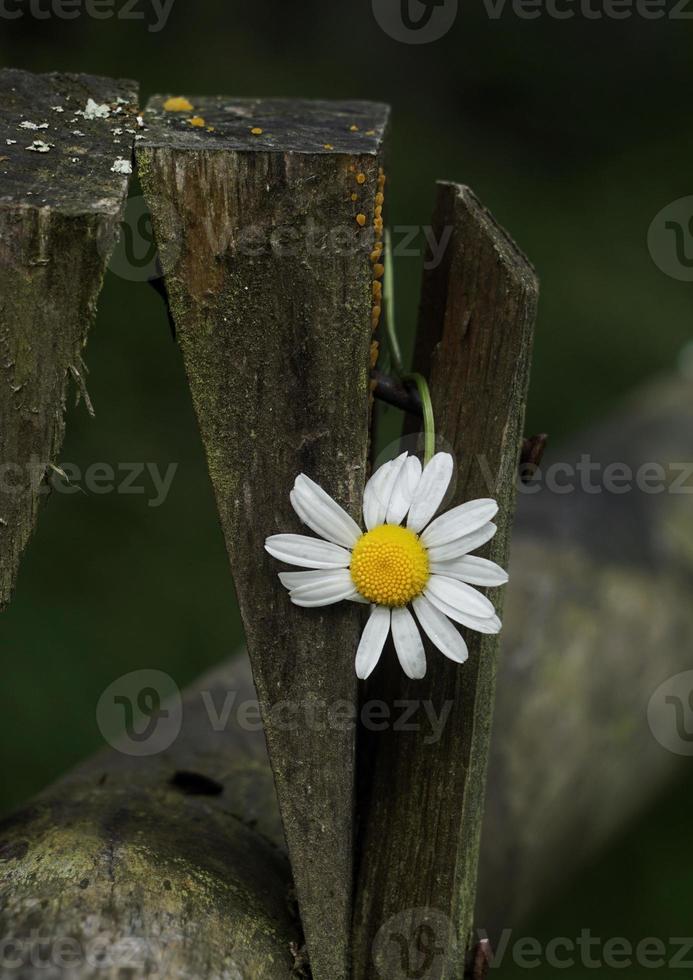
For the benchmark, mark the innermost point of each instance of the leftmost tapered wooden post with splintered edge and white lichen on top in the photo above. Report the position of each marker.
(64, 172)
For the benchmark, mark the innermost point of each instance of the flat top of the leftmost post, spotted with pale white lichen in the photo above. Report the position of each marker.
(66, 141)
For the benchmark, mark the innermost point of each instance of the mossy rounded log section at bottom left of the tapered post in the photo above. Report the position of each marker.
(171, 864)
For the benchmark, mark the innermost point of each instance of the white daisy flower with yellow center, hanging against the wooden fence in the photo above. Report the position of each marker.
(426, 563)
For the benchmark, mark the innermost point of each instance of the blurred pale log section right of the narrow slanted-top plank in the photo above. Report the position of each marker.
(598, 615)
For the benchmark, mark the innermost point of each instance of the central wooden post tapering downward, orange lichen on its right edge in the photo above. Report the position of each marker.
(264, 213)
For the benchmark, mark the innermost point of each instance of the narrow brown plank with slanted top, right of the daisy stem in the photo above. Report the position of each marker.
(421, 810)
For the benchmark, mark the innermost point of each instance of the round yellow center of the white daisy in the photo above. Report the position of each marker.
(389, 565)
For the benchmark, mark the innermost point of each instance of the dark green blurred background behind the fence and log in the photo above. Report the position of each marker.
(575, 133)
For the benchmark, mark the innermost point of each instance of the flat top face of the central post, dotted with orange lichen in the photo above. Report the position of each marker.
(270, 125)
